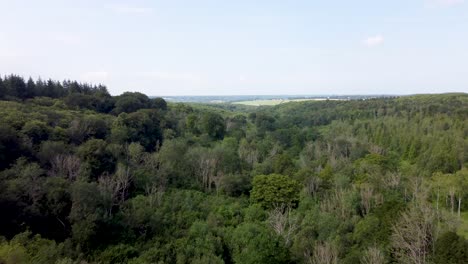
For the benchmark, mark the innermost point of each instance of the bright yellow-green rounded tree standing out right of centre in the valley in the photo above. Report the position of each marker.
(274, 189)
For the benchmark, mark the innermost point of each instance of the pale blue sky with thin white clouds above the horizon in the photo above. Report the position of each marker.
(241, 47)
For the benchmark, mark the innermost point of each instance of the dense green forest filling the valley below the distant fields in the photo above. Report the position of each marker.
(86, 177)
